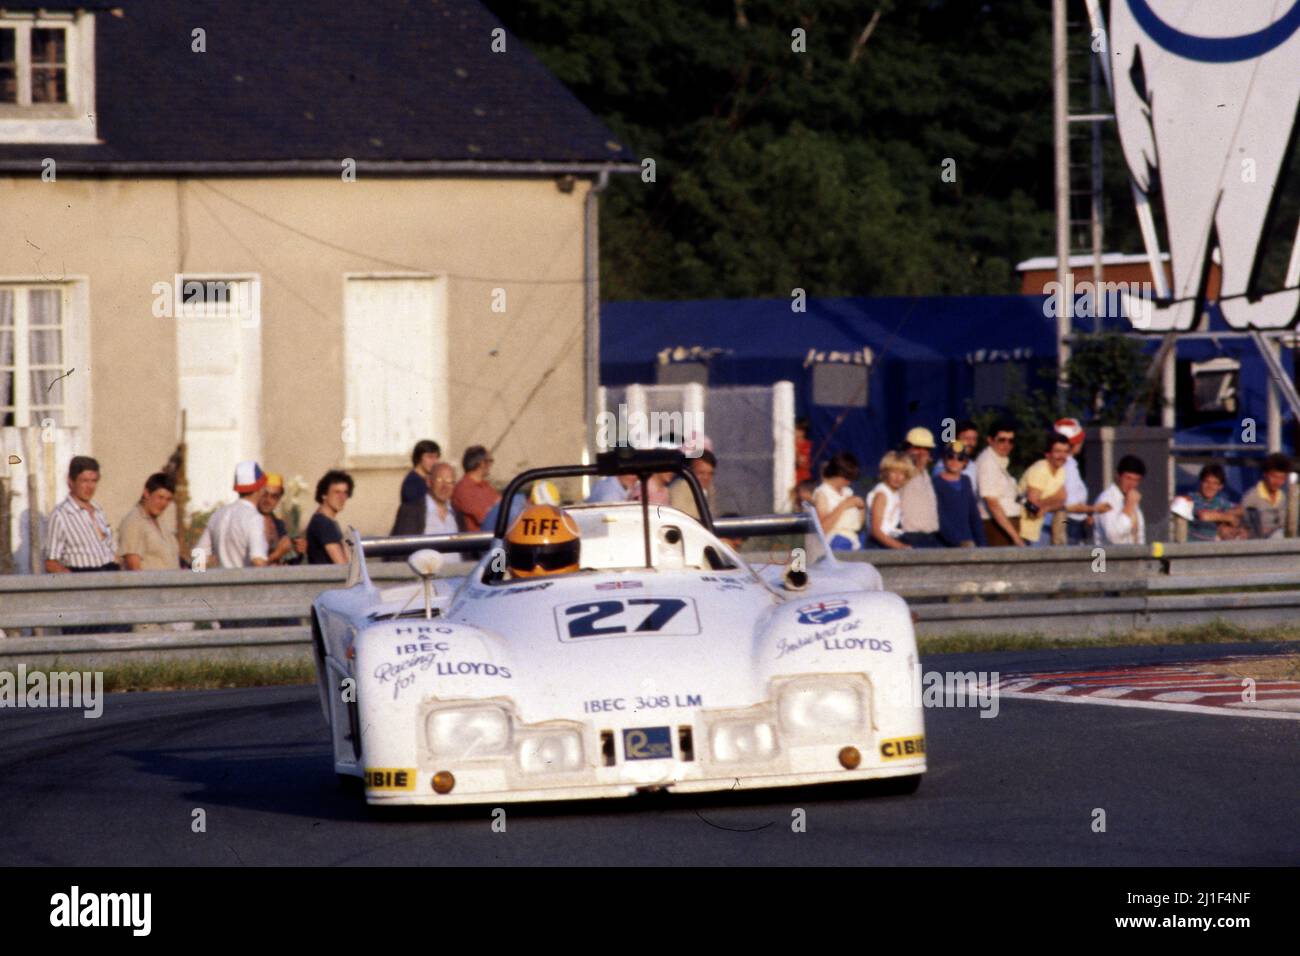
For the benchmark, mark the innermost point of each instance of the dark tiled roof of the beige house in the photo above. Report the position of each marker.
(384, 81)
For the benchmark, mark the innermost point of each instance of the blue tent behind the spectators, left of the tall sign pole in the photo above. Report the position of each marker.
(922, 357)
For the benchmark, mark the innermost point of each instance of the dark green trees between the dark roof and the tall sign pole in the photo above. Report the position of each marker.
(822, 171)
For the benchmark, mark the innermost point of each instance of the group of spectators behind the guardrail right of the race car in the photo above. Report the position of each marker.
(961, 496)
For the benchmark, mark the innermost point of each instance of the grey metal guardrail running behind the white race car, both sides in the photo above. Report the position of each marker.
(1050, 591)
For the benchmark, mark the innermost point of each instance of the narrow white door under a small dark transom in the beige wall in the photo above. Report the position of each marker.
(219, 361)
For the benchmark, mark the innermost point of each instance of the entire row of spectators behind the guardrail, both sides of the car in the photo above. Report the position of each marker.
(925, 496)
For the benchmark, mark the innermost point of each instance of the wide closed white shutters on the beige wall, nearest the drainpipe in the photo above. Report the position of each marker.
(396, 358)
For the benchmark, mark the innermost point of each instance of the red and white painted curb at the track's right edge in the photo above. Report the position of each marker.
(1197, 687)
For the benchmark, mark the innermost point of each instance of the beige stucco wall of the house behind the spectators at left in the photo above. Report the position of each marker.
(301, 236)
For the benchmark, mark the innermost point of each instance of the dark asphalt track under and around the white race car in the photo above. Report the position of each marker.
(1022, 789)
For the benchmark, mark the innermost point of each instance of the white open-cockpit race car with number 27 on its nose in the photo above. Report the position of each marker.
(665, 663)
